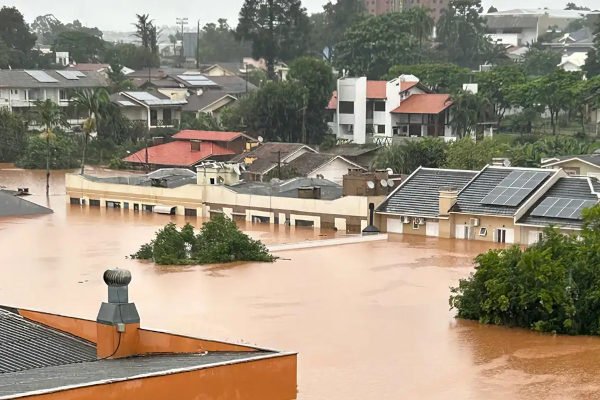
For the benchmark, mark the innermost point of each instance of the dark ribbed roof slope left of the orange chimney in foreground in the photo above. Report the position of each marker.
(25, 345)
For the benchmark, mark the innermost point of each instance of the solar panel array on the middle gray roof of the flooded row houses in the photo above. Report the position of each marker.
(514, 188)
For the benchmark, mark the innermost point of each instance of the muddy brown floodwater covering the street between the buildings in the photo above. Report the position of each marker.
(369, 320)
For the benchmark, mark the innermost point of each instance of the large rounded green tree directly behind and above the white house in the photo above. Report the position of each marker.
(375, 43)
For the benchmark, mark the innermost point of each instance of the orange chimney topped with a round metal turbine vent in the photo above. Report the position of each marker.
(118, 321)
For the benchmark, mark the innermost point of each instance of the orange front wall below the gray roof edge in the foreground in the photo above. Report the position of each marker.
(267, 379)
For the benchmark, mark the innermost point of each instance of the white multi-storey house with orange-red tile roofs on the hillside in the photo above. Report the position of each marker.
(364, 111)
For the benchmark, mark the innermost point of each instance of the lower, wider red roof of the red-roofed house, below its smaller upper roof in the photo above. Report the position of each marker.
(177, 153)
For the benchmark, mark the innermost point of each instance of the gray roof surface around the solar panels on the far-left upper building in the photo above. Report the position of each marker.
(20, 79)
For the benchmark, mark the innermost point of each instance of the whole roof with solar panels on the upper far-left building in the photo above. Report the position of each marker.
(51, 79)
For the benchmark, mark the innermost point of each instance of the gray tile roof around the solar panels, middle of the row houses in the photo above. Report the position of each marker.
(469, 199)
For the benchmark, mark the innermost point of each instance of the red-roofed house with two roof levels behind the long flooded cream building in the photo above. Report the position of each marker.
(189, 148)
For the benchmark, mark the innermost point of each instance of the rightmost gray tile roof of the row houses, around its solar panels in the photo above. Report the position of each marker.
(571, 188)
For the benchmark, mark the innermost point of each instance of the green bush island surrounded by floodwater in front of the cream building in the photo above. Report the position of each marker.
(219, 241)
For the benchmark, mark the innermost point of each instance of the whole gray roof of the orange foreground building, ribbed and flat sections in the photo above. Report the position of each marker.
(36, 359)
